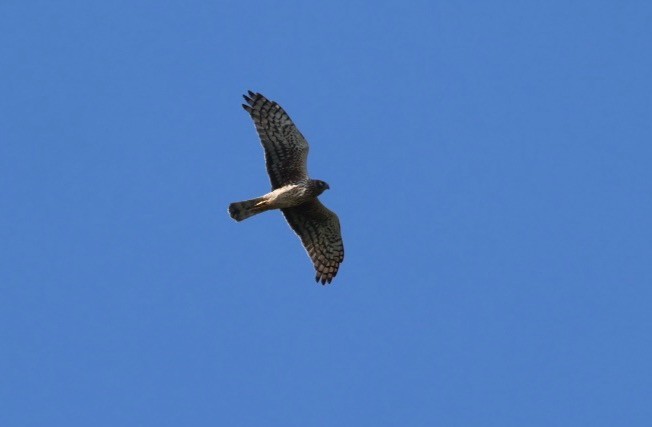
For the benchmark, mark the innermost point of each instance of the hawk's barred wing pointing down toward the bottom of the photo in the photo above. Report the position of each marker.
(319, 230)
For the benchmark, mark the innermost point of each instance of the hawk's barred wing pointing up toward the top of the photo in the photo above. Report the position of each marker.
(286, 150)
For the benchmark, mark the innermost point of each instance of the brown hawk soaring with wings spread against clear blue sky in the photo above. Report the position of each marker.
(293, 192)
